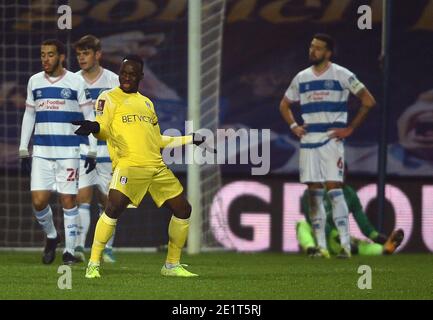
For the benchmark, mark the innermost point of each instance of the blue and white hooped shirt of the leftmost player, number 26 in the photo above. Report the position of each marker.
(57, 103)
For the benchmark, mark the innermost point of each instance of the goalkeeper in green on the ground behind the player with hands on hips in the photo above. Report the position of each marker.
(379, 244)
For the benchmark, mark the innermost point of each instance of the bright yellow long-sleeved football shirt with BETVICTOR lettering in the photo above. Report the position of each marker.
(129, 124)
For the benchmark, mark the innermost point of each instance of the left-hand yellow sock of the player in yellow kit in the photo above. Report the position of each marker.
(103, 232)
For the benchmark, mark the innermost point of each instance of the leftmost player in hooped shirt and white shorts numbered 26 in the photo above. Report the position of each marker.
(55, 97)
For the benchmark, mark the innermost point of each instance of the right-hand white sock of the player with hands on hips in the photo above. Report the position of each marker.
(340, 213)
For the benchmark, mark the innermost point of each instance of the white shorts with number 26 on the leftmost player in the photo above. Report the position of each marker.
(55, 175)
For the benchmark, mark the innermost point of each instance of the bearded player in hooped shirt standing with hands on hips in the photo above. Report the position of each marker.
(322, 91)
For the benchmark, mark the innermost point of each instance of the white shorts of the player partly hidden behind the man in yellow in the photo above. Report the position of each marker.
(100, 177)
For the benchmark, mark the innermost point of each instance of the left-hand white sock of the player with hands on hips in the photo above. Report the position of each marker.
(318, 217)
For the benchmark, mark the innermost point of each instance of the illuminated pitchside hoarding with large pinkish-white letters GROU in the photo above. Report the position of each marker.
(250, 215)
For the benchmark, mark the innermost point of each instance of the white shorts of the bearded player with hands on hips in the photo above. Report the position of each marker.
(322, 164)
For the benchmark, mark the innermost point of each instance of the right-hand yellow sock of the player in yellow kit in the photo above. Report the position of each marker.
(177, 233)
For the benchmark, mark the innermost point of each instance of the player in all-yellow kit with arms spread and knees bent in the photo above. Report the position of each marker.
(128, 122)
